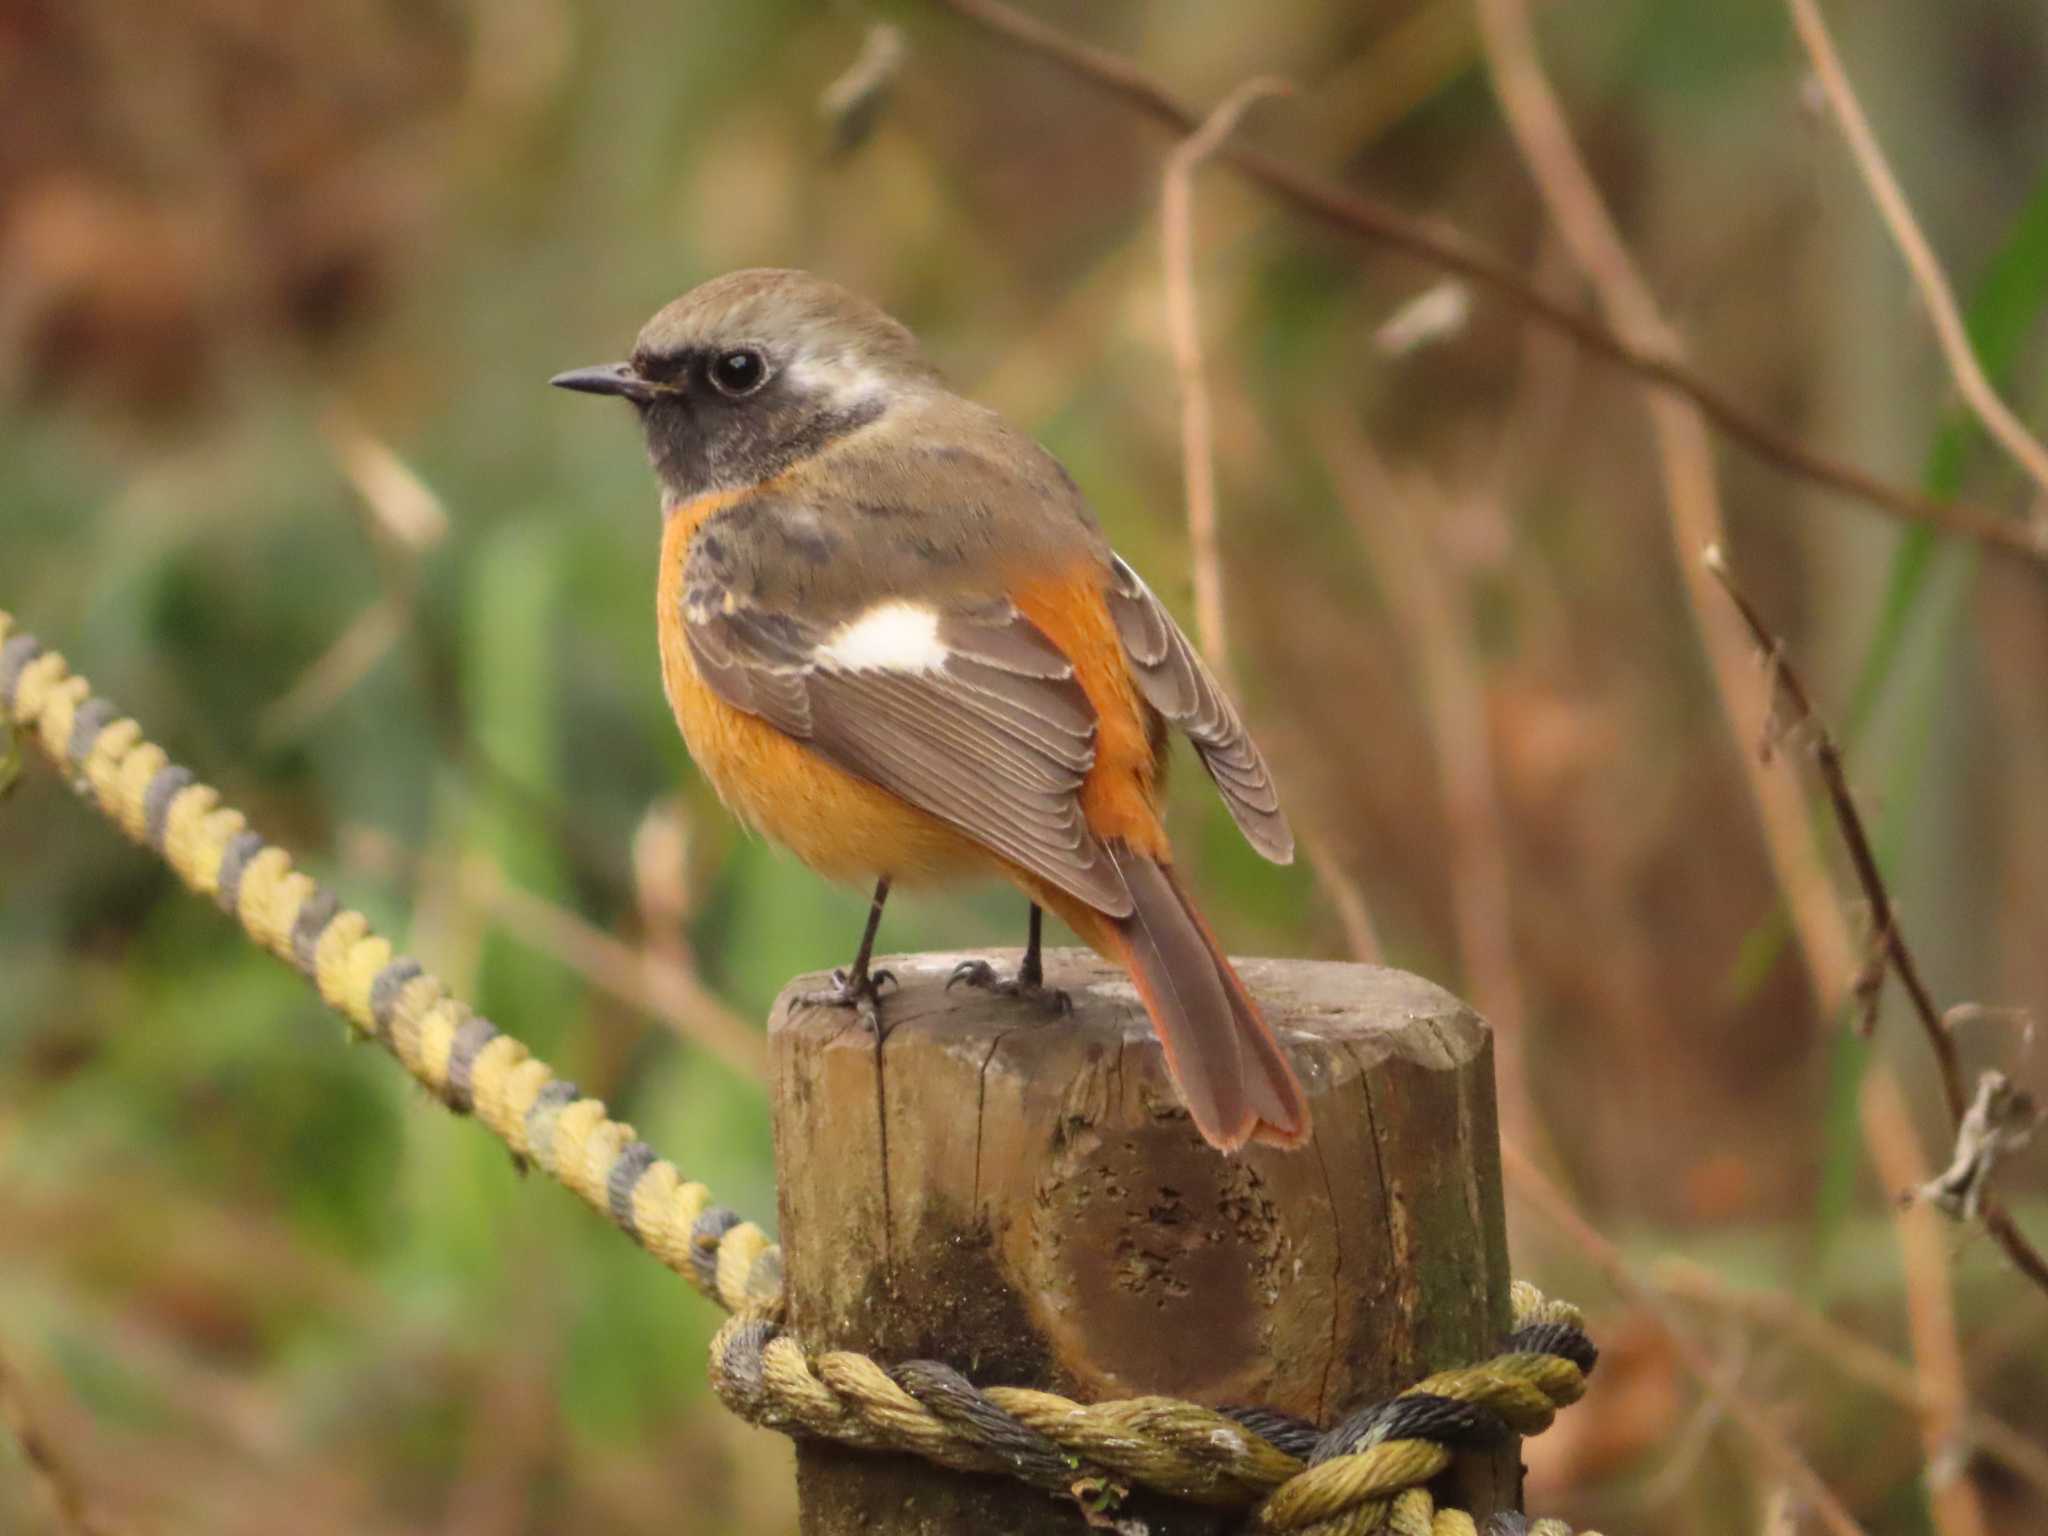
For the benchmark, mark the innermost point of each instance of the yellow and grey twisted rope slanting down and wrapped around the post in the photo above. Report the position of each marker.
(1369, 1474)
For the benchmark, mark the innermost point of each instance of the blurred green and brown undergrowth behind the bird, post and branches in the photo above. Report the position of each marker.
(280, 296)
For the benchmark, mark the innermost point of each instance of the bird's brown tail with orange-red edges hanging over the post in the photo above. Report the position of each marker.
(1224, 1056)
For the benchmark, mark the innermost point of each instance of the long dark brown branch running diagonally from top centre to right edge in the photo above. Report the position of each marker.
(1449, 249)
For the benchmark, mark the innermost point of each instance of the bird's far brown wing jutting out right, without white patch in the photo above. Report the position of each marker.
(1181, 687)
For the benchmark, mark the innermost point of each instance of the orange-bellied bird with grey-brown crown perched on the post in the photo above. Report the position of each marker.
(898, 644)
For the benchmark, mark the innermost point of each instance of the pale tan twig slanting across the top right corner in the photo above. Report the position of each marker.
(1920, 259)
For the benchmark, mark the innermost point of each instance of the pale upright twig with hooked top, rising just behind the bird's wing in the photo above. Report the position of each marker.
(1185, 329)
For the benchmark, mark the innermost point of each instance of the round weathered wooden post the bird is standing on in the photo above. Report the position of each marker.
(1025, 1199)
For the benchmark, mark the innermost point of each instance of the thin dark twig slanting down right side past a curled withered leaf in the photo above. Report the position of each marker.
(1883, 912)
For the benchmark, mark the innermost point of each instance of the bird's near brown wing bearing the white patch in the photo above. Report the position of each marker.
(978, 720)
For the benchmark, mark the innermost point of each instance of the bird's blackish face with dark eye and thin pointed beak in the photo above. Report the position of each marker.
(722, 417)
